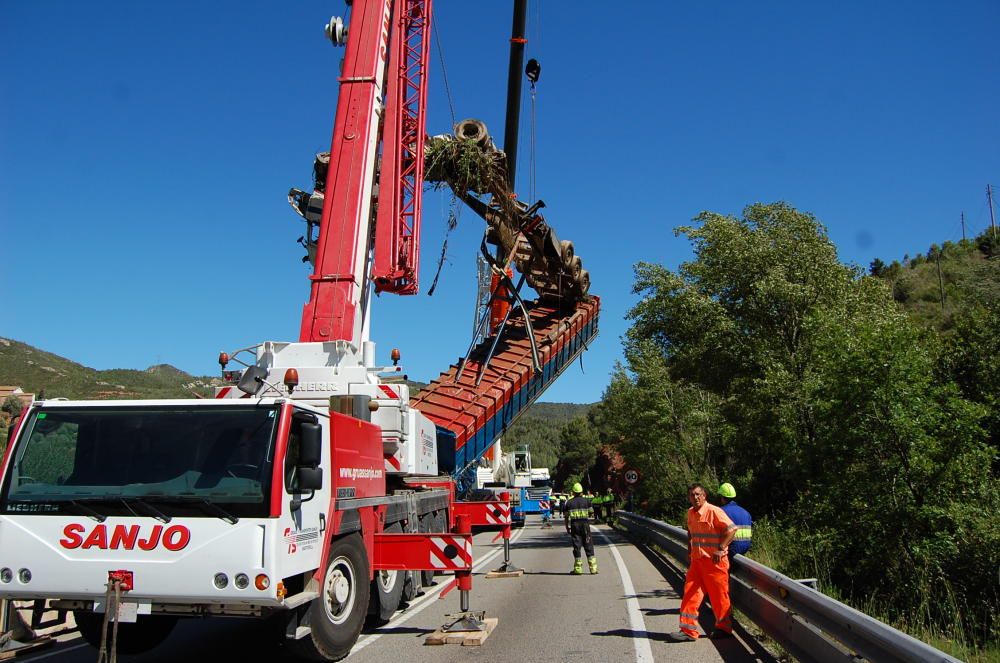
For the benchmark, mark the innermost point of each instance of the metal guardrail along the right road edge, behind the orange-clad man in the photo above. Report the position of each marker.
(808, 624)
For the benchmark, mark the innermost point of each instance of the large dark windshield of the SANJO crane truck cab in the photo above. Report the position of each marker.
(159, 461)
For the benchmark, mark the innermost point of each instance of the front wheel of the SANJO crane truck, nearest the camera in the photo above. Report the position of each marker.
(335, 618)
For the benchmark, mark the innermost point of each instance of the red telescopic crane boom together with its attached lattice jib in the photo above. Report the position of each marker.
(340, 279)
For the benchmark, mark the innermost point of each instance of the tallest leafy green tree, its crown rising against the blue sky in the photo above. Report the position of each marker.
(739, 321)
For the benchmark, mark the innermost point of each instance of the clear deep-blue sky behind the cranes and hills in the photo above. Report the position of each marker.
(146, 149)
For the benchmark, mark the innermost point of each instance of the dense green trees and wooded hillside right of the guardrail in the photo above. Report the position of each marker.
(856, 414)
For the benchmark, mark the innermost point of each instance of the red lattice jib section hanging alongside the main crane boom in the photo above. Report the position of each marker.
(397, 229)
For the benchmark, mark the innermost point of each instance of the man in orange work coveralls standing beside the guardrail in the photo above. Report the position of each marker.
(710, 532)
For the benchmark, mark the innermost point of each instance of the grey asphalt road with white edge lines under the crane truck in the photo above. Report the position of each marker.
(621, 614)
